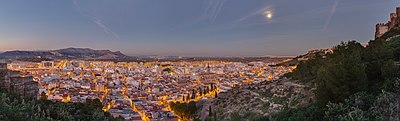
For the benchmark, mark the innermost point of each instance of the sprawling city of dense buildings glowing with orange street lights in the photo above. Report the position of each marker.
(139, 91)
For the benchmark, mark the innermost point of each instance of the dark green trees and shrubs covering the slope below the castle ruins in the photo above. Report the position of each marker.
(352, 83)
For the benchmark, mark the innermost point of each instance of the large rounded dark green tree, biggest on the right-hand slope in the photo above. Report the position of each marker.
(342, 75)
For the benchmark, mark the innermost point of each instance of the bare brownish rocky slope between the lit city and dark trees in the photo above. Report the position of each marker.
(260, 99)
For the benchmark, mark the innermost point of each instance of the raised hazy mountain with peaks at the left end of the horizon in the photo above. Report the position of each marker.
(68, 53)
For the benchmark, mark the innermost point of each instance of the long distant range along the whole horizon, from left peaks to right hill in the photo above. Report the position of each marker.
(91, 54)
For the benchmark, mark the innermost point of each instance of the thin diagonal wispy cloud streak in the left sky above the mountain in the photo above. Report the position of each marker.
(95, 20)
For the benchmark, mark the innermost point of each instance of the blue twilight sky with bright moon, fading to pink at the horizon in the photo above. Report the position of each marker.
(189, 27)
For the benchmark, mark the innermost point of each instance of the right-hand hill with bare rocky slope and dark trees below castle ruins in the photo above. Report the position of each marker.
(348, 82)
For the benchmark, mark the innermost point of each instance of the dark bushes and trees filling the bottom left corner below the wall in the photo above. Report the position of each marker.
(16, 108)
